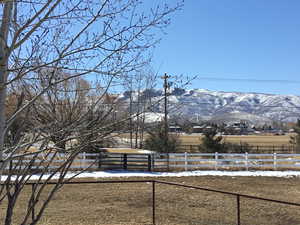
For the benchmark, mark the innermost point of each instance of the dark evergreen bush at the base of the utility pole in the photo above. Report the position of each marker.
(156, 140)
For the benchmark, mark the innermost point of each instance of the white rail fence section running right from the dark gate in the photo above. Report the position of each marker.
(231, 161)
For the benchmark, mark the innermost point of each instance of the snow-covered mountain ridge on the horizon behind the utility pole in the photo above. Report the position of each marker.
(202, 104)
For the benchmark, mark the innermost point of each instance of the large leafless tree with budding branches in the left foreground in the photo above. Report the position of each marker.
(82, 38)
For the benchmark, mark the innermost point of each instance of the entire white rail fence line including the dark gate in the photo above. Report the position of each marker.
(175, 161)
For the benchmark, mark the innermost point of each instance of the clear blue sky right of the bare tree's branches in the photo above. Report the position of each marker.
(257, 41)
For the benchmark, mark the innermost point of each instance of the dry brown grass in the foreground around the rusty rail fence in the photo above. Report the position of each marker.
(131, 203)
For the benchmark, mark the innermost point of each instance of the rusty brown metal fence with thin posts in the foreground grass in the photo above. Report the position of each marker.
(155, 200)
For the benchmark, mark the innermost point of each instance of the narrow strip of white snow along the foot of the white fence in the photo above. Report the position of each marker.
(115, 174)
